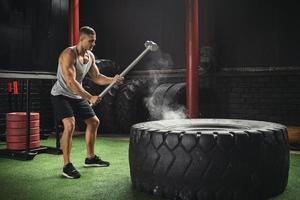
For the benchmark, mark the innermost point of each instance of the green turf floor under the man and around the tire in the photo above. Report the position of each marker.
(40, 178)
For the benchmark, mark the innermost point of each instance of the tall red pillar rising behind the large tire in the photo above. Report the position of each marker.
(192, 58)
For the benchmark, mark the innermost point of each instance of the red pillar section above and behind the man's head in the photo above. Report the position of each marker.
(74, 22)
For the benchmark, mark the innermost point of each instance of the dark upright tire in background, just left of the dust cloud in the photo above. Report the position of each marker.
(130, 104)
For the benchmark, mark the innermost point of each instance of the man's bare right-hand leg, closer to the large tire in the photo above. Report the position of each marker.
(92, 125)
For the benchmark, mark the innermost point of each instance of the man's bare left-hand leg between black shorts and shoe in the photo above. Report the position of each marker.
(66, 139)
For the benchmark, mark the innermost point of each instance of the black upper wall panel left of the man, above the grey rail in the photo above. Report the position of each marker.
(33, 33)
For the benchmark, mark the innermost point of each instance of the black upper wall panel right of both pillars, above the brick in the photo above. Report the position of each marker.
(256, 33)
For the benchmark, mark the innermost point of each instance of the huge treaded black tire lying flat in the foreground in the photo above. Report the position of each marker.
(209, 159)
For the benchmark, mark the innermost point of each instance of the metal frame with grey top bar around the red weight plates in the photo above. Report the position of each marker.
(29, 154)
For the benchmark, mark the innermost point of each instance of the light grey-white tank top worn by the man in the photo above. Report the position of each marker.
(60, 87)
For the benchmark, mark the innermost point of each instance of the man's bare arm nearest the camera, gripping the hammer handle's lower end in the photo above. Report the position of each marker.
(67, 62)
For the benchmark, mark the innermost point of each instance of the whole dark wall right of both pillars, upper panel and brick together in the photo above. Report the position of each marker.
(257, 71)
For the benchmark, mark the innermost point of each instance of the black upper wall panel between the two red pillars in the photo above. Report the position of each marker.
(123, 26)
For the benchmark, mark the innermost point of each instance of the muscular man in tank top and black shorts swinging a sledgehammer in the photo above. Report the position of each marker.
(70, 100)
